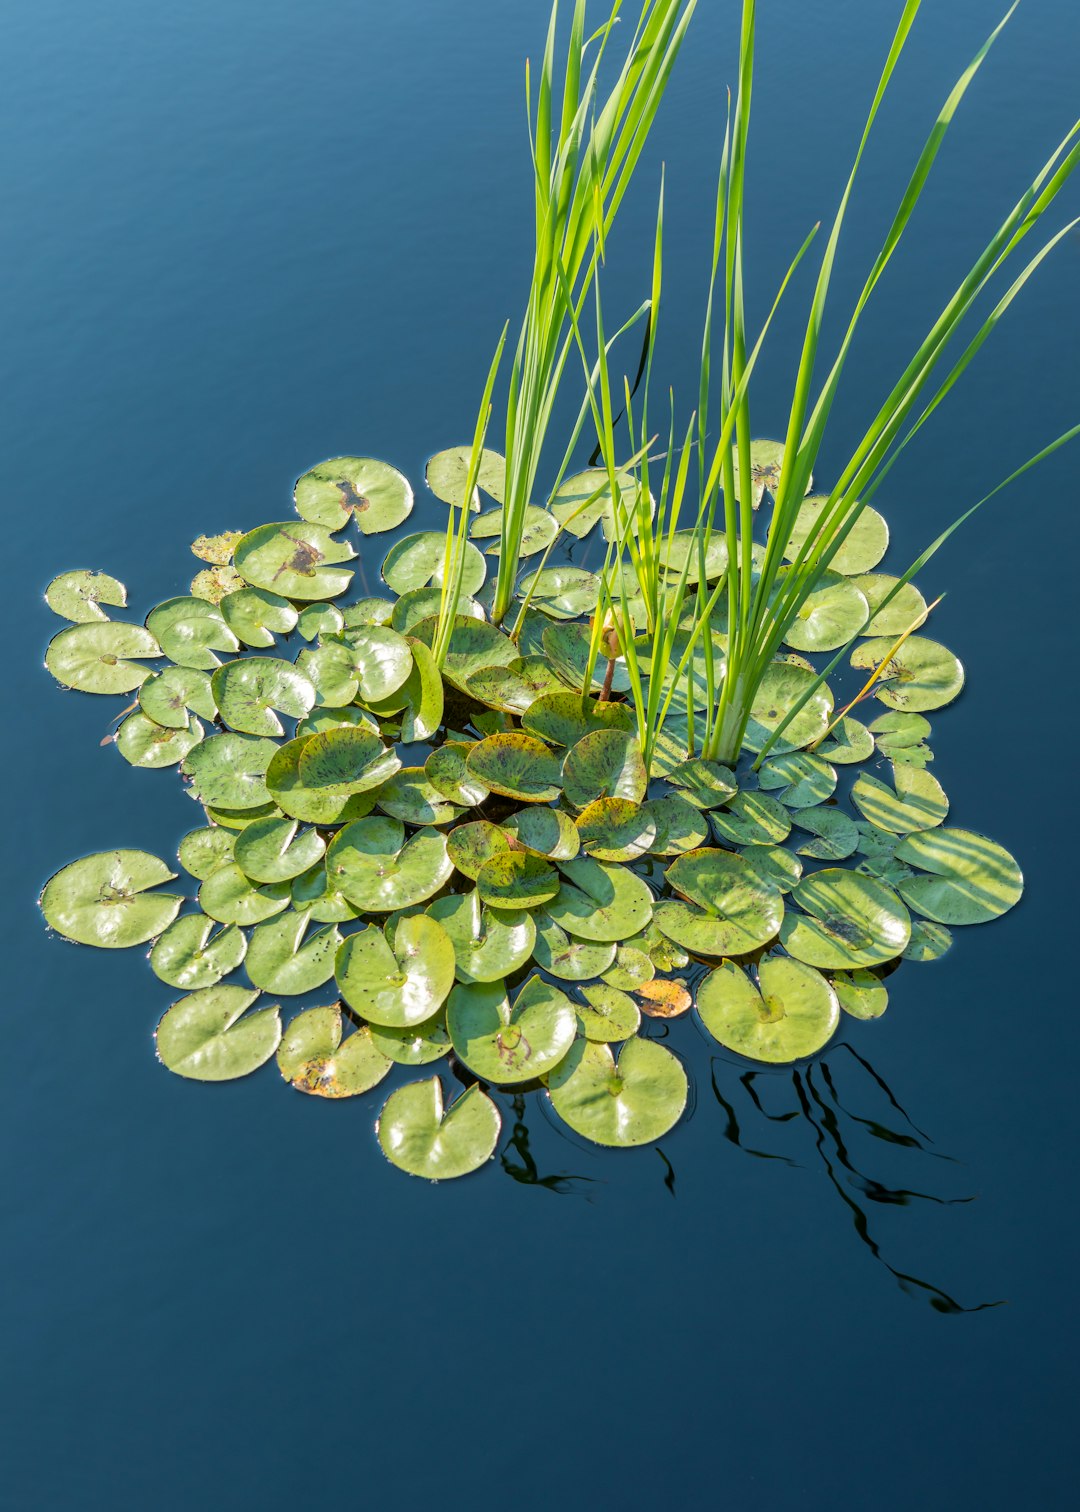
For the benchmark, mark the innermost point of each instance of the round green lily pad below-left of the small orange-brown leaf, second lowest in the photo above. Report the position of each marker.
(625, 1103)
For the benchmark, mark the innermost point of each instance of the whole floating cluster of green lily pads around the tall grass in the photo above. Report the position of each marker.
(470, 861)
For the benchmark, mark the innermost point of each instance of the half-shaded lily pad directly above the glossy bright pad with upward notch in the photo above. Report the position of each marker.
(376, 870)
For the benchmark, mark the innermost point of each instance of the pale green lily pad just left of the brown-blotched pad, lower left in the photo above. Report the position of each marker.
(209, 1035)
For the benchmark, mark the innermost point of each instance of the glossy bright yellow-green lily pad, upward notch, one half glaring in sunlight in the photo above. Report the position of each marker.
(400, 976)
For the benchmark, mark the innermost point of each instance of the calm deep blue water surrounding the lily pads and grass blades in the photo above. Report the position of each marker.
(241, 238)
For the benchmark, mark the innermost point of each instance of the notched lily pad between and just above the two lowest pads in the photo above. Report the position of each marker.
(509, 1044)
